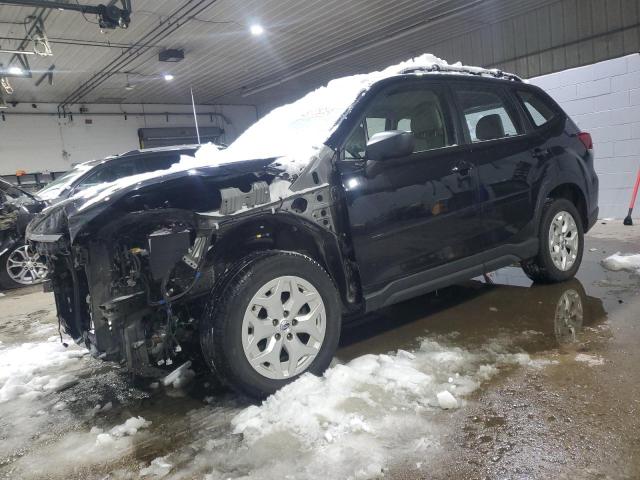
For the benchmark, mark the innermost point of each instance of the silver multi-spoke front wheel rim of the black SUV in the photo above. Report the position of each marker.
(283, 328)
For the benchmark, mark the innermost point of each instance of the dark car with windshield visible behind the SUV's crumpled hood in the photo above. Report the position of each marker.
(96, 172)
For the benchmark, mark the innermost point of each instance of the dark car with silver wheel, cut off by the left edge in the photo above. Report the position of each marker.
(20, 264)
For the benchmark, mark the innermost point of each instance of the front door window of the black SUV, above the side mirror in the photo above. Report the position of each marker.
(419, 110)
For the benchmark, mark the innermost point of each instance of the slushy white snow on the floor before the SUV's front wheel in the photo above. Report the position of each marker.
(354, 422)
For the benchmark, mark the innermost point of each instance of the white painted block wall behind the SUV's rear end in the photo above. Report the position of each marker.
(604, 100)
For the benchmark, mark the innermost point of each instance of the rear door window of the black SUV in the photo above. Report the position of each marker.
(487, 115)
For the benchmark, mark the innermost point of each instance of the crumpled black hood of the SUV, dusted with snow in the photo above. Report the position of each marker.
(71, 215)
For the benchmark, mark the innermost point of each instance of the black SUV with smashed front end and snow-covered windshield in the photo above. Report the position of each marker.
(369, 191)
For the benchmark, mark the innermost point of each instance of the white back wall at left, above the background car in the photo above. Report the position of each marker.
(37, 143)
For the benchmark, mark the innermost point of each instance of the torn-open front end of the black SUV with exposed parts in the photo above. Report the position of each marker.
(133, 273)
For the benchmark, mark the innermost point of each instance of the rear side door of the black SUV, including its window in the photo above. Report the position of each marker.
(503, 154)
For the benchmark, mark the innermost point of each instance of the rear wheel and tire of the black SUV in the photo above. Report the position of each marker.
(561, 238)
